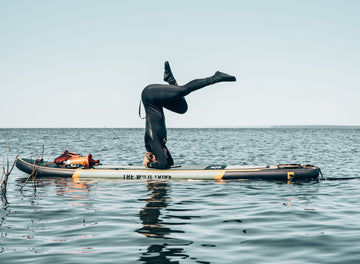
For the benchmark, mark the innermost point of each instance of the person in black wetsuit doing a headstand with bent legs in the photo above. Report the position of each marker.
(155, 98)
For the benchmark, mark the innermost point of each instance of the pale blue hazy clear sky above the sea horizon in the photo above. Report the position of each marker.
(84, 63)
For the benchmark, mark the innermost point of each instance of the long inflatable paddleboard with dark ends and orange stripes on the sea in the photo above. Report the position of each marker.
(286, 172)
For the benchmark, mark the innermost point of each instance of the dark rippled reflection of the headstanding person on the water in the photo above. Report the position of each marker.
(164, 247)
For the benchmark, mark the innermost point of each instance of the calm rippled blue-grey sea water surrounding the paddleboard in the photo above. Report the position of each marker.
(112, 221)
